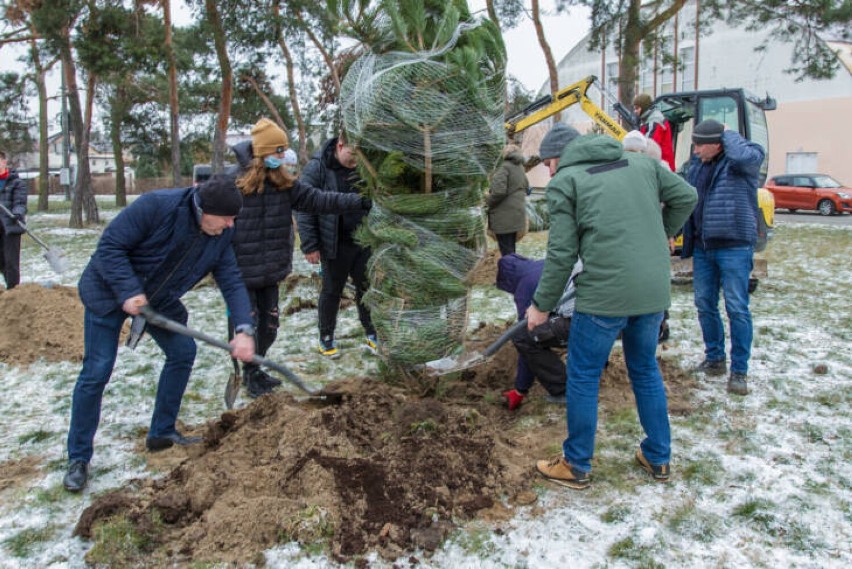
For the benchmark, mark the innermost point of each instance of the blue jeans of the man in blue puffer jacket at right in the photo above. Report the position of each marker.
(726, 269)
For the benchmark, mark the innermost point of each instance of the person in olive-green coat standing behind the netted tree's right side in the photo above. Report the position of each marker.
(507, 200)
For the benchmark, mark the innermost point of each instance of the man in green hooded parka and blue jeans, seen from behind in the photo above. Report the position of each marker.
(605, 208)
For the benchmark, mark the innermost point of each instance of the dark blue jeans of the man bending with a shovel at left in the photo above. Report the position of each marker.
(101, 334)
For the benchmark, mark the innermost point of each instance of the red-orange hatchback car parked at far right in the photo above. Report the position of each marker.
(818, 192)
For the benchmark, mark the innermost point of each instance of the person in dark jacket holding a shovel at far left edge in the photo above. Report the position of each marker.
(13, 195)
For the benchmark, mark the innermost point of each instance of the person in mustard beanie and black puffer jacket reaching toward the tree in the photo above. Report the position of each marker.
(263, 242)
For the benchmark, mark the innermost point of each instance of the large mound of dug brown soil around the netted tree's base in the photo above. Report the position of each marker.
(393, 468)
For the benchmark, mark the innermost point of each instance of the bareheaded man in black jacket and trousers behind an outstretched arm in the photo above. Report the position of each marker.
(328, 239)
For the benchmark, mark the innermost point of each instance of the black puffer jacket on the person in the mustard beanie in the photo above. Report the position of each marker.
(263, 241)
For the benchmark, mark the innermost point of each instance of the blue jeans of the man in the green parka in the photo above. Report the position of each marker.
(589, 345)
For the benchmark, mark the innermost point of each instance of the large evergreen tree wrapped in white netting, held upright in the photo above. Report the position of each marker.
(425, 107)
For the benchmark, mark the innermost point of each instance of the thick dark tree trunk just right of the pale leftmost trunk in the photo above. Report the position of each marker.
(83, 196)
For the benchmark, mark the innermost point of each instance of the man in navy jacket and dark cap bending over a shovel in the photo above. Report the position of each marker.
(153, 252)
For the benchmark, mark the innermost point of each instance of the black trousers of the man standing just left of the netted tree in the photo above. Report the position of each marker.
(351, 261)
